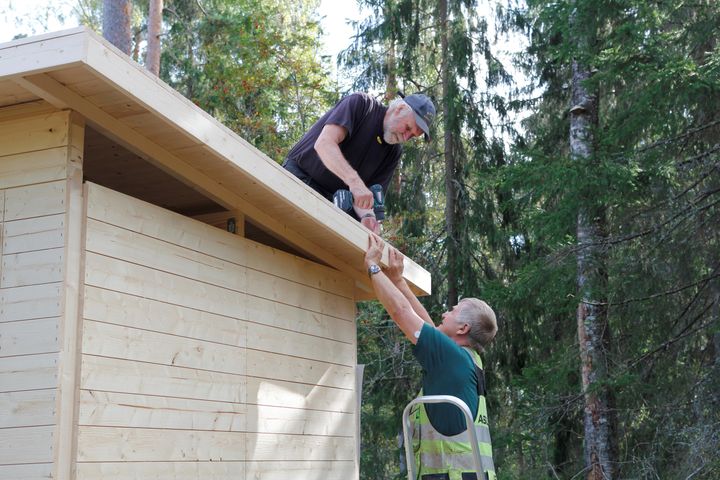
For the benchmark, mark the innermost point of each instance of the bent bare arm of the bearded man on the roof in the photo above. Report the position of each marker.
(328, 149)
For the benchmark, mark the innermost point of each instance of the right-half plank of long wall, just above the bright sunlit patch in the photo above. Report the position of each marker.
(293, 369)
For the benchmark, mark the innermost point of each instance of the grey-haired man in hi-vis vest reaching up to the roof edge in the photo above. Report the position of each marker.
(449, 356)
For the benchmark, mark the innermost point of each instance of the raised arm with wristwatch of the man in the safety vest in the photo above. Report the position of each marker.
(396, 304)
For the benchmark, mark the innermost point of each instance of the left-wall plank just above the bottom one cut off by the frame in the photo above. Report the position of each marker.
(26, 445)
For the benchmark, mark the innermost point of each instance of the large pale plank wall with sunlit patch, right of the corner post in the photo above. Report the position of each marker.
(206, 355)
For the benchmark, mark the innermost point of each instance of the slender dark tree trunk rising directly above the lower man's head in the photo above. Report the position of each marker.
(451, 243)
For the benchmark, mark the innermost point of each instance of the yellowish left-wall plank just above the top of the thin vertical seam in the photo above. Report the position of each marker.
(33, 167)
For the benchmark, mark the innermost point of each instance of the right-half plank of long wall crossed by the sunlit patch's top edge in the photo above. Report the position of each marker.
(262, 391)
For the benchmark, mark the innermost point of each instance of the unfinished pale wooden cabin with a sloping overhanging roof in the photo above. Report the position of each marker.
(173, 304)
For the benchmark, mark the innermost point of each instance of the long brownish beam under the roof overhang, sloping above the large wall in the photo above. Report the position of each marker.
(47, 88)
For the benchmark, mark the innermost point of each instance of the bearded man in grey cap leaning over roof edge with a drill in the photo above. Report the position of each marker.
(357, 144)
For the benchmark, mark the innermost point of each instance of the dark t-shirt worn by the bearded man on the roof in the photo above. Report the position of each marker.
(363, 147)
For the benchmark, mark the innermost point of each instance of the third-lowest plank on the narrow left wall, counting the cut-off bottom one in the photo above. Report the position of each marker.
(29, 408)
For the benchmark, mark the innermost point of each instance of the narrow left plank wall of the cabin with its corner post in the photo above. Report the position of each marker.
(40, 161)
